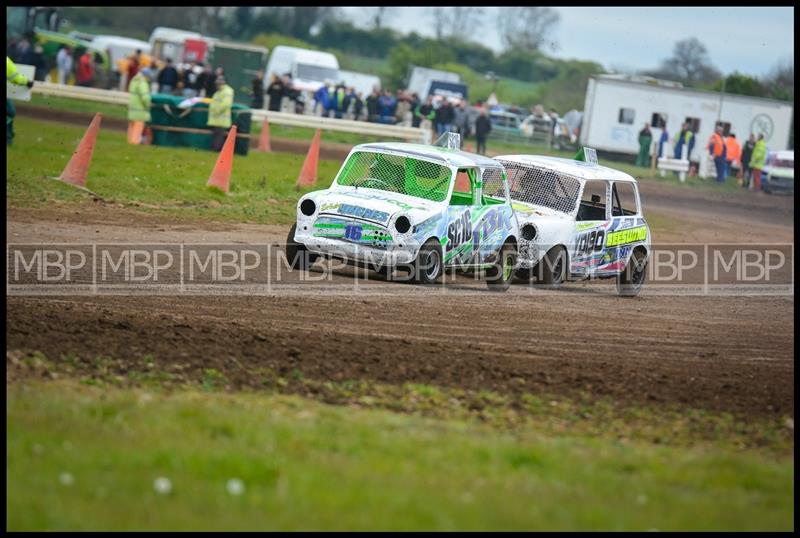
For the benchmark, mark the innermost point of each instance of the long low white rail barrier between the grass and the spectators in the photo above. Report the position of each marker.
(114, 97)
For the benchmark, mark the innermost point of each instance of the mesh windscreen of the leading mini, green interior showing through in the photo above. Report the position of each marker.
(396, 173)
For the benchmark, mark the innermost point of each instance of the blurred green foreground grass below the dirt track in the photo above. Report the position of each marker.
(311, 466)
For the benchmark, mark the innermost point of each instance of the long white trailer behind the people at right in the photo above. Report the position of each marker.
(618, 106)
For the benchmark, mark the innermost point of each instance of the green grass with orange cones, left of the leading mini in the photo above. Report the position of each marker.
(163, 180)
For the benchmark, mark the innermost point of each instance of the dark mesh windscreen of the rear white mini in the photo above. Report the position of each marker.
(542, 186)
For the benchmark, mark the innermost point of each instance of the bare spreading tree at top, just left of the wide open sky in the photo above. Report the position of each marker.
(527, 27)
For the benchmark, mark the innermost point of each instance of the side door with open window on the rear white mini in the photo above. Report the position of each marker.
(591, 223)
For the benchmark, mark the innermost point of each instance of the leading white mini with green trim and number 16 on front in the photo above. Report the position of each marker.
(416, 207)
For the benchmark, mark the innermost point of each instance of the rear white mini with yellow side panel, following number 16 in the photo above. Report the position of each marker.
(577, 220)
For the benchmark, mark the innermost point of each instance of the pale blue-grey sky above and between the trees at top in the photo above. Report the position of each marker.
(749, 40)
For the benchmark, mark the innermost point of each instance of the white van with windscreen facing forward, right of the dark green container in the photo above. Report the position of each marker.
(309, 68)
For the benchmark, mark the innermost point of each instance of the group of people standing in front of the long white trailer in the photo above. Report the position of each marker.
(729, 157)
